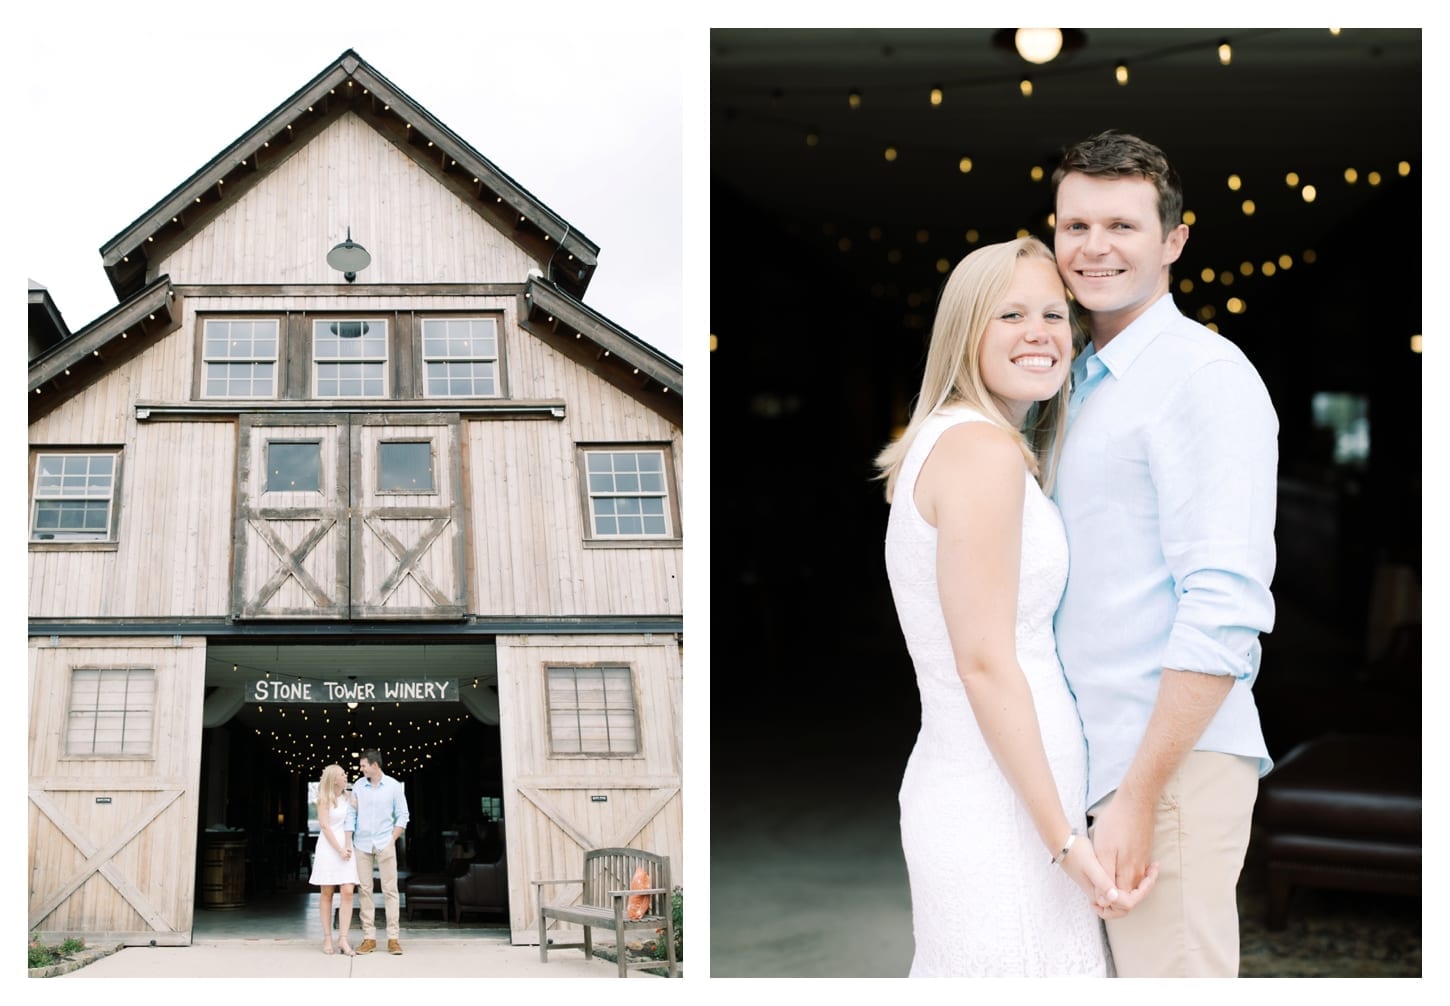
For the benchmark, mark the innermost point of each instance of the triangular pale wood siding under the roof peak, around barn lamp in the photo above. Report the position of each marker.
(282, 230)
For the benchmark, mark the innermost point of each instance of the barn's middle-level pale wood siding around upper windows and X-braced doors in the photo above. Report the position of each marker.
(524, 512)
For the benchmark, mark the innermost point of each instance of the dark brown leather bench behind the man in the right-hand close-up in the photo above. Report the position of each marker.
(1343, 811)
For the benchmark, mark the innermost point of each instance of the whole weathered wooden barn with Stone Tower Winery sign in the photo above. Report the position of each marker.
(350, 466)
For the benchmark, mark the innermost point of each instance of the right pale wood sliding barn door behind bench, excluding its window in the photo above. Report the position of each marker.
(547, 798)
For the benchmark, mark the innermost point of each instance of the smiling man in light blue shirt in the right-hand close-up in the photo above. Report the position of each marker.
(1167, 486)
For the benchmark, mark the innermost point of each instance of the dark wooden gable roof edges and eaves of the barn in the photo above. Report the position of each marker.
(63, 362)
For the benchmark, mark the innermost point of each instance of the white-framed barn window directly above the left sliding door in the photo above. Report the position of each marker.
(75, 496)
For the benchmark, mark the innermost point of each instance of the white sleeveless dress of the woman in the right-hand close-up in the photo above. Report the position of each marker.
(985, 897)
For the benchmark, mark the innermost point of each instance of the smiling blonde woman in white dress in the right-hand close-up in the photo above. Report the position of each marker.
(1004, 881)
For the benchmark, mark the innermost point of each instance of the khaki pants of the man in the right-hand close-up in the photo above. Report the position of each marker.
(1188, 926)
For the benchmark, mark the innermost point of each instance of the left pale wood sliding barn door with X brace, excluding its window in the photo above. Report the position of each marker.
(120, 870)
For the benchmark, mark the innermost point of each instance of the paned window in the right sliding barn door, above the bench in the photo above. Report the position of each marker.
(576, 717)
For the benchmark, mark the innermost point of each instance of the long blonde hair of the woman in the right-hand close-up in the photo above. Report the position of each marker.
(953, 375)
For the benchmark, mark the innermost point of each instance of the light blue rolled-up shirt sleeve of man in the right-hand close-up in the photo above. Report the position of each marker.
(1213, 457)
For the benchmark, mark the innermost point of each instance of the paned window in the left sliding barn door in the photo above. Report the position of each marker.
(121, 699)
